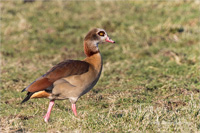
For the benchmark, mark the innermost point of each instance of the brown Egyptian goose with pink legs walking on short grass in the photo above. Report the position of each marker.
(71, 79)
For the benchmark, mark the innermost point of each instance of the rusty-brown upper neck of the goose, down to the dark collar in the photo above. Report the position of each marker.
(91, 48)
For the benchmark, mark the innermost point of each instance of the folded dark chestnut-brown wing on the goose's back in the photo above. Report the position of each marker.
(61, 70)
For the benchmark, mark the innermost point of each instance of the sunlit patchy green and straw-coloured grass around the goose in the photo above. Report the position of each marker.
(151, 76)
